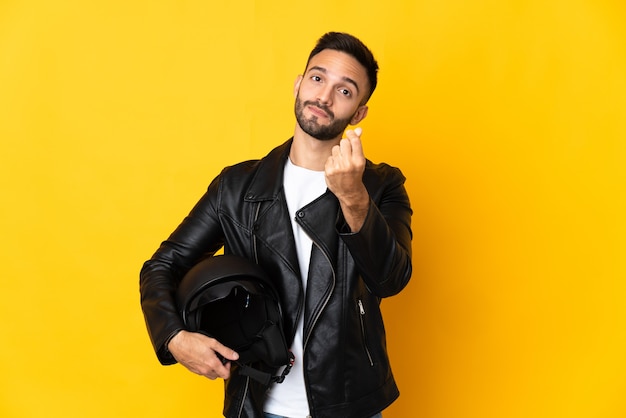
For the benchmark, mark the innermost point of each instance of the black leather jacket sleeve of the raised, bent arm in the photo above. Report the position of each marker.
(381, 249)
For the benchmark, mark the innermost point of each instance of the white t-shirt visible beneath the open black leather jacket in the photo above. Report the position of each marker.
(302, 186)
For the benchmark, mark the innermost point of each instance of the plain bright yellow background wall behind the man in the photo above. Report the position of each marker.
(508, 118)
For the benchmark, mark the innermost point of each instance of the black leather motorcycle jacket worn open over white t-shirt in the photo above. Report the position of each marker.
(346, 366)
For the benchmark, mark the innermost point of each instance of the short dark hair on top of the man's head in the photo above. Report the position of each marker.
(351, 45)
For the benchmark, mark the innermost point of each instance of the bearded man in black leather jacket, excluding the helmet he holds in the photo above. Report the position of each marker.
(331, 229)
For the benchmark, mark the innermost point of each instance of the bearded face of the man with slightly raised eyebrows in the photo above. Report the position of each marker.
(330, 95)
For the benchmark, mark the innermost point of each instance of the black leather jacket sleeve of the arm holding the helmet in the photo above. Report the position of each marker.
(198, 236)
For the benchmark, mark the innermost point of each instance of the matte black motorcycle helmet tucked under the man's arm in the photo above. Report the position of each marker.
(231, 299)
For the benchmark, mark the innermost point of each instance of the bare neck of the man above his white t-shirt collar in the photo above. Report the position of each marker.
(309, 152)
